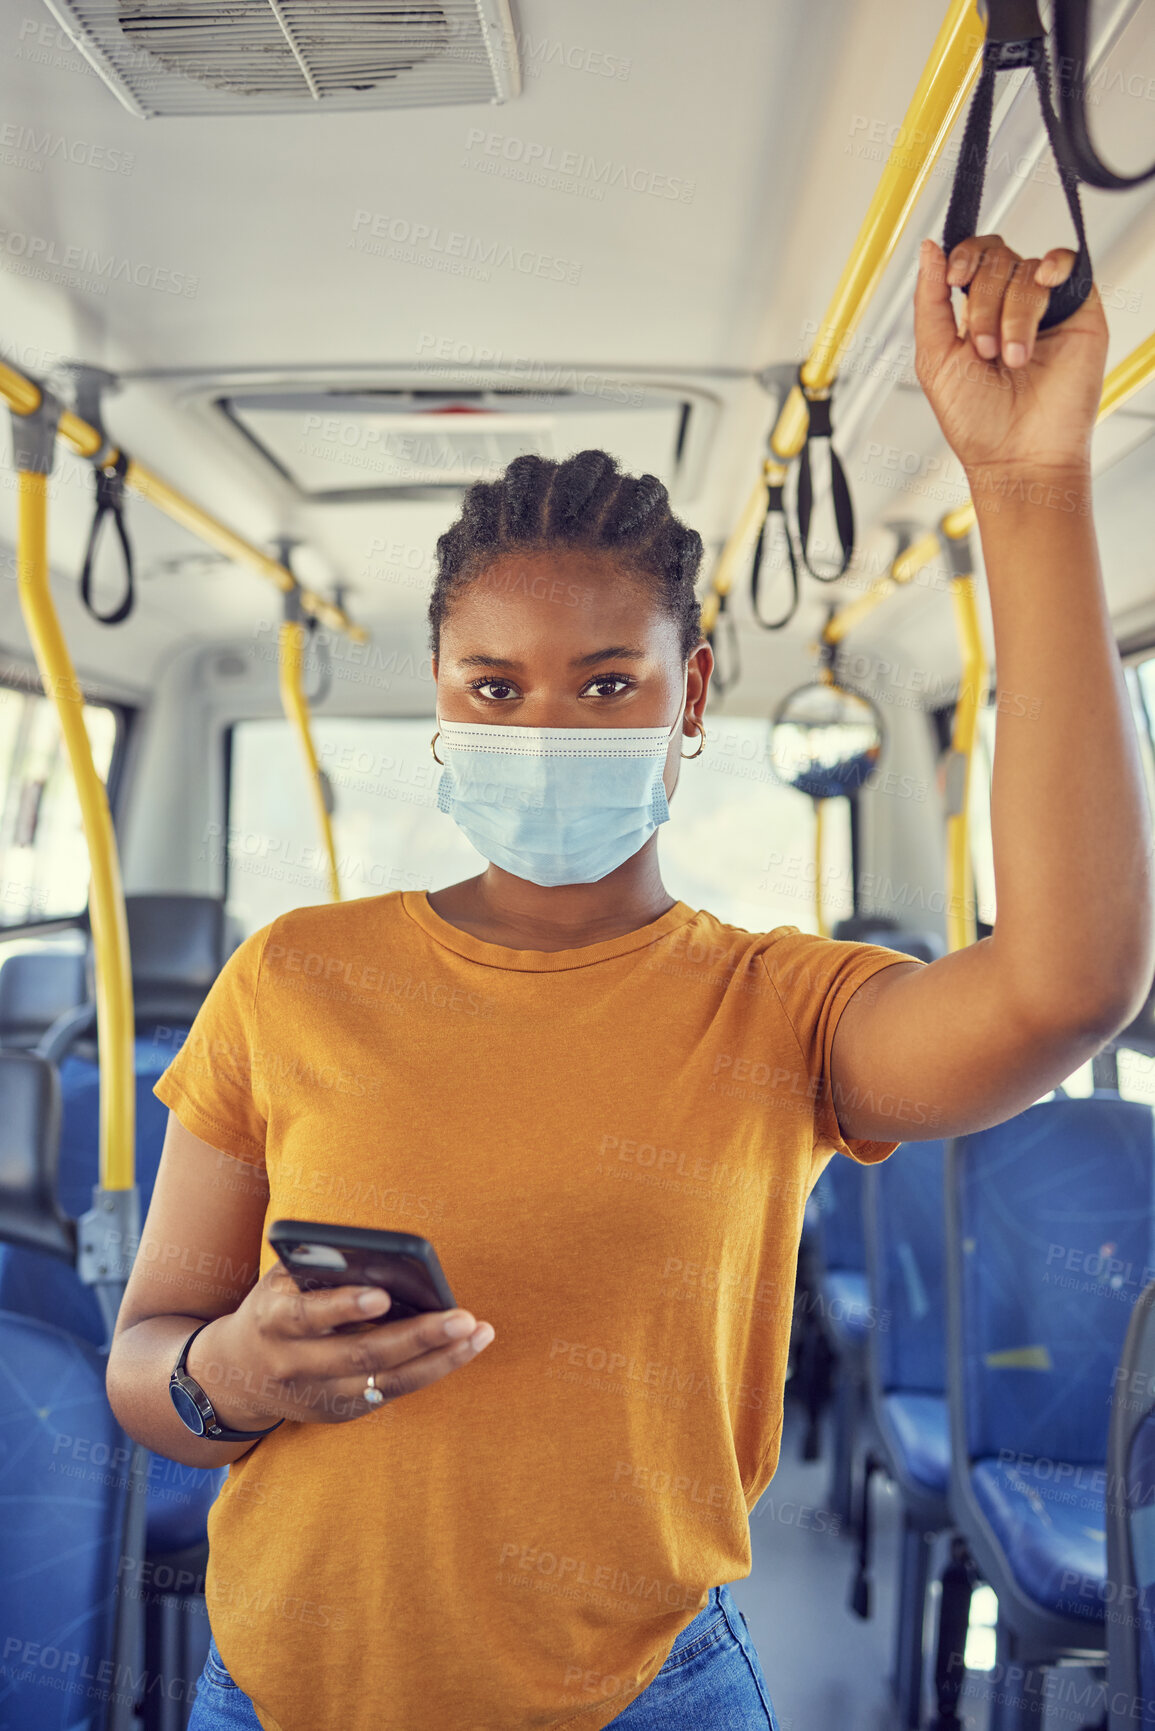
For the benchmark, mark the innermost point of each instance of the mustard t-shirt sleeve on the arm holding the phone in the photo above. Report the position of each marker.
(210, 1081)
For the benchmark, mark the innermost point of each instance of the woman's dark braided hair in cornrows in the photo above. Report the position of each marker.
(584, 503)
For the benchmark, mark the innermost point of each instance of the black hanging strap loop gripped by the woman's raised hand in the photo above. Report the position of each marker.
(1014, 41)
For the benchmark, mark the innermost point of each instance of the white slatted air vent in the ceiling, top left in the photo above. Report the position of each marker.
(295, 56)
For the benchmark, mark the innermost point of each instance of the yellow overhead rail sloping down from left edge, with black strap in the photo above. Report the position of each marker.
(25, 397)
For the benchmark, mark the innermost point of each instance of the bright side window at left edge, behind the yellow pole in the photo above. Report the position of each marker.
(44, 859)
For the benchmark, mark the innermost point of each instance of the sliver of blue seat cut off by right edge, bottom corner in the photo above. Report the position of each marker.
(1132, 1526)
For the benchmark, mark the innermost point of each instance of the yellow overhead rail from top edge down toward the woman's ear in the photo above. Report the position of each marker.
(945, 86)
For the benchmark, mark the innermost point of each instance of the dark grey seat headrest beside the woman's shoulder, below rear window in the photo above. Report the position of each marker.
(177, 946)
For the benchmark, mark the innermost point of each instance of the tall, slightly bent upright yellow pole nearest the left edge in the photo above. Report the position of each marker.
(106, 903)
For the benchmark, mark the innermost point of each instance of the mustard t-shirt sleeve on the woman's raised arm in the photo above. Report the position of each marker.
(815, 981)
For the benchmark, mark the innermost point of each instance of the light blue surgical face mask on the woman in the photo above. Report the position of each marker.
(557, 804)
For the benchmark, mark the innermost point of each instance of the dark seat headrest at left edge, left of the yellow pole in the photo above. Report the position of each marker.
(30, 1147)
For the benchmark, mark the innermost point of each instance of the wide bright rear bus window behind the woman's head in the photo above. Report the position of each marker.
(739, 842)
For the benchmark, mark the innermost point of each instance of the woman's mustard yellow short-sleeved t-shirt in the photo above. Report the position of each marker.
(610, 1150)
